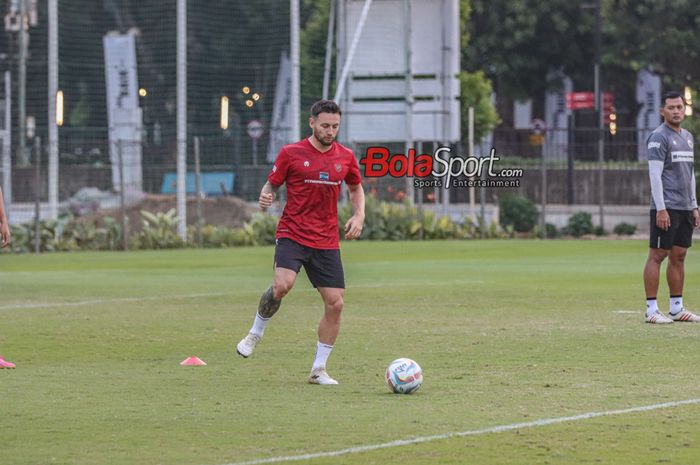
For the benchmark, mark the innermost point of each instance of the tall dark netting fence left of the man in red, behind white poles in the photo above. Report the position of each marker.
(235, 50)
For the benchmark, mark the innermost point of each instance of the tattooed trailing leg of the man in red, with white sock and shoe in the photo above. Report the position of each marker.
(270, 302)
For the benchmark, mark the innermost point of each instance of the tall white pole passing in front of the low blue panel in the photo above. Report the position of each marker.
(181, 117)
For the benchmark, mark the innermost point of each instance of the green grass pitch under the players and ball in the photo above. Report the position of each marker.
(506, 332)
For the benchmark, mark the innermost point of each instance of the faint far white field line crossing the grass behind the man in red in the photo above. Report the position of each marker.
(98, 301)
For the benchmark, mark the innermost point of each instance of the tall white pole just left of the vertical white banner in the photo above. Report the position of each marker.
(52, 123)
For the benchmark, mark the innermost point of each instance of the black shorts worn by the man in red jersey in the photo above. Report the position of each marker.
(323, 267)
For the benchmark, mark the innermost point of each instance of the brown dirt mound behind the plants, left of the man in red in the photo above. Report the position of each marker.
(219, 211)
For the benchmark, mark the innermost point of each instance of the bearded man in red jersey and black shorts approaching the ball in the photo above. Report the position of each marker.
(307, 233)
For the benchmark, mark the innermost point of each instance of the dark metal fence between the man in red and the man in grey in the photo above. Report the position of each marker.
(570, 165)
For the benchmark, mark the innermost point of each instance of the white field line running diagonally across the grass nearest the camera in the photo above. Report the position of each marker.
(477, 432)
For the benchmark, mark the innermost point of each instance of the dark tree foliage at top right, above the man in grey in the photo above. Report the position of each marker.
(517, 42)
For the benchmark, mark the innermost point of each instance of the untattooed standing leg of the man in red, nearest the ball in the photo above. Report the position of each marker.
(328, 329)
